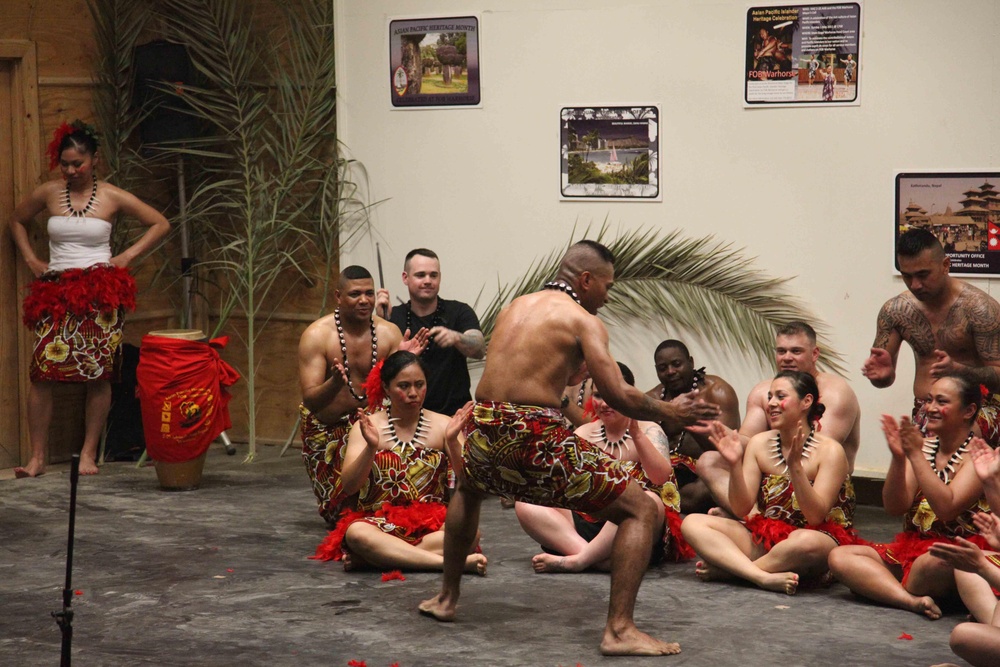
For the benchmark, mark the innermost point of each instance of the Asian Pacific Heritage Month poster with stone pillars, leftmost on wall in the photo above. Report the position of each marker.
(434, 62)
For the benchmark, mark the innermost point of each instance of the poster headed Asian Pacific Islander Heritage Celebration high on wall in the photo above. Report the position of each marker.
(803, 55)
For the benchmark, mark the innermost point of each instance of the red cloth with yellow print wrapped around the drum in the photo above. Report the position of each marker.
(182, 391)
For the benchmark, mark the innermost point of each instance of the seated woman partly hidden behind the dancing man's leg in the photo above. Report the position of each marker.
(575, 542)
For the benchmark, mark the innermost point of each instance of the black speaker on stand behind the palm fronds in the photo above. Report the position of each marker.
(157, 64)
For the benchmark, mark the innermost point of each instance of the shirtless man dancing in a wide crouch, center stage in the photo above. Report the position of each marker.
(518, 445)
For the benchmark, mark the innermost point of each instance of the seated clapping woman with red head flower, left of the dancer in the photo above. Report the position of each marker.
(397, 462)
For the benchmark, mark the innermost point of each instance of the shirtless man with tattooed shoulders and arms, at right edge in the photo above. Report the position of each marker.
(949, 324)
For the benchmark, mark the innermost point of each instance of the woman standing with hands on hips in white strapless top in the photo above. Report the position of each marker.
(77, 302)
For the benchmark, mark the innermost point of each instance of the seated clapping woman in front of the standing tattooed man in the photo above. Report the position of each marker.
(930, 485)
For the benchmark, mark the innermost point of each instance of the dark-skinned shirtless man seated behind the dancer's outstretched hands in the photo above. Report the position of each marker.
(678, 376)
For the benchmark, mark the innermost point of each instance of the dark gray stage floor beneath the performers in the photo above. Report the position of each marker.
(220, 576)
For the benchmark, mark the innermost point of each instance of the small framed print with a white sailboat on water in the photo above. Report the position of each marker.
(610, 152)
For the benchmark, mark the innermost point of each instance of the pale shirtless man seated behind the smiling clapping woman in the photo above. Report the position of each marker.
(795, 350)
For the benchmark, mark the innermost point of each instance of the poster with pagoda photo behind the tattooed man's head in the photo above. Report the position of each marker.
(962, 209)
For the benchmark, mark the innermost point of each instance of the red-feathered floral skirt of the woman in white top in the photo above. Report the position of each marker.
(77, 318)
